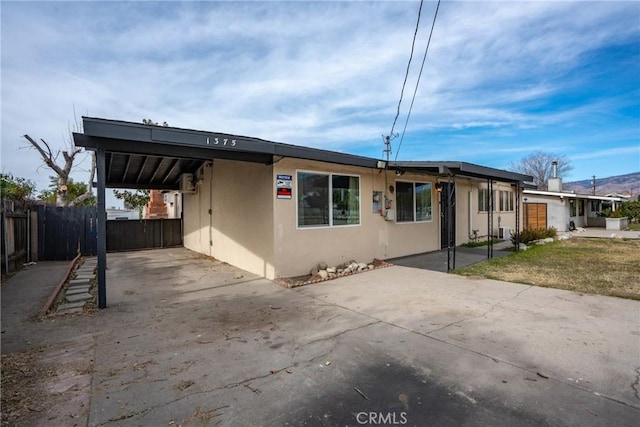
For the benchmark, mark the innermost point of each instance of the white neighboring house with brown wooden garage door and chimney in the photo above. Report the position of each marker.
(563, 209)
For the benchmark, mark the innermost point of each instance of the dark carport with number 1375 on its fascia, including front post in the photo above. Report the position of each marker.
(139, 156)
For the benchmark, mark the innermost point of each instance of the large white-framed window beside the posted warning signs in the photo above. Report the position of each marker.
(326, 200)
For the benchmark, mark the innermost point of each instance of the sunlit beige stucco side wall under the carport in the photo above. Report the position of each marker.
(239, 230)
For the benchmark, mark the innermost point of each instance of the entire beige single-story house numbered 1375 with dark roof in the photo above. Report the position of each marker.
(276, 209)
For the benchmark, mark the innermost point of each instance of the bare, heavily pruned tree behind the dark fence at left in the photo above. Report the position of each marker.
(63, 170)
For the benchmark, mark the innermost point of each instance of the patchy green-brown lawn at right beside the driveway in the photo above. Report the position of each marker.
(596, 266)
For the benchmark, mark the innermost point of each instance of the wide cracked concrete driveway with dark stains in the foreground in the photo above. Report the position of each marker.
(191, 341)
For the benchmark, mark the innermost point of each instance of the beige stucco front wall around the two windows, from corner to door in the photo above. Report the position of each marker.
(298, 249)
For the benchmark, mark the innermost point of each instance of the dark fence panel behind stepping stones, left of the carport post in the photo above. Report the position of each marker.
(63, 231)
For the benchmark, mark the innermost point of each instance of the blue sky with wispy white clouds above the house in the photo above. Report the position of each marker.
(502, 79)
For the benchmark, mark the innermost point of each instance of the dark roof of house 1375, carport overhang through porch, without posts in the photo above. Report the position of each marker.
(144, 156)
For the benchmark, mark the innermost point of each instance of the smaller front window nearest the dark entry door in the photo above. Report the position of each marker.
(413, 201)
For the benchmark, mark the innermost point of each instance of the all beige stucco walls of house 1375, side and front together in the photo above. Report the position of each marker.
(250, 228)
